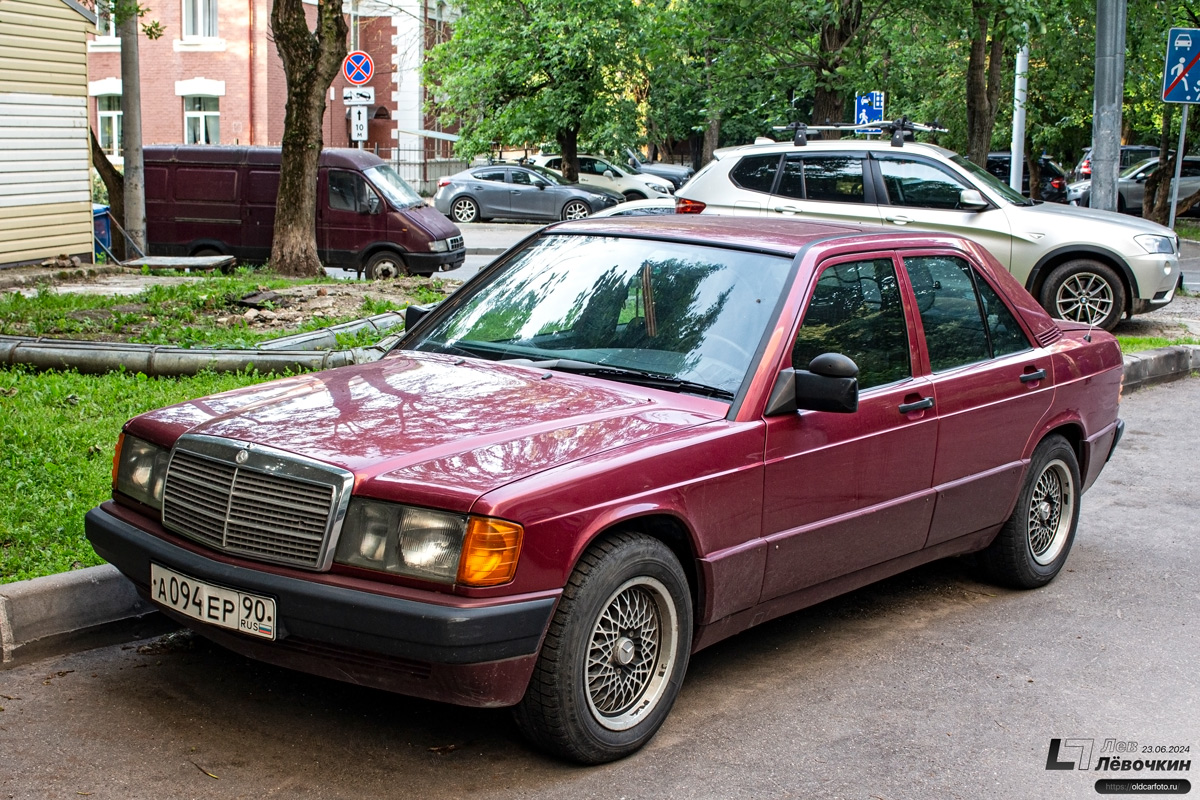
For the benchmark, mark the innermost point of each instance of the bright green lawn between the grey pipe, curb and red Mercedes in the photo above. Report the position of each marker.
(58, 431)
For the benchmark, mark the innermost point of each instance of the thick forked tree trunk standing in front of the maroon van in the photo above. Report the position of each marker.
(311, 62)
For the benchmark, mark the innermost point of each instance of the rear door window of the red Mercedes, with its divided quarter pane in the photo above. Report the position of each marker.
(964, 318)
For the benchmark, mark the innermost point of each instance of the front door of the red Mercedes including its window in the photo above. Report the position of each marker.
(848, 491)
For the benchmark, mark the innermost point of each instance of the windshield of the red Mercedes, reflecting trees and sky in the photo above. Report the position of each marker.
(691, 314)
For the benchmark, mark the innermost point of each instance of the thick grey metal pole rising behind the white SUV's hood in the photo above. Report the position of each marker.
(1111, 43)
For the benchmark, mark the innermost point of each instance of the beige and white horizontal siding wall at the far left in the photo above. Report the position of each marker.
(45, 158)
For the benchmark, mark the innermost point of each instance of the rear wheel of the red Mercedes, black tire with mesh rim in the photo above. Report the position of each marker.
(1034, 545)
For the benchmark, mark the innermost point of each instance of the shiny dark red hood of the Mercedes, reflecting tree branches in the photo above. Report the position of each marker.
(433, 429)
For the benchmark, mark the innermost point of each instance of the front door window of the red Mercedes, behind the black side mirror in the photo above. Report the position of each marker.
(857, 311)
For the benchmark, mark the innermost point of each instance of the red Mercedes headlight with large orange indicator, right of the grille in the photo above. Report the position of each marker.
(430, 545)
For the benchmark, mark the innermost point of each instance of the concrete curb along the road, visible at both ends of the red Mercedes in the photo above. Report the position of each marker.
(95, 606)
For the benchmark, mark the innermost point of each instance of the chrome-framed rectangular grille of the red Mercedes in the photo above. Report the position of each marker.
(273, 508)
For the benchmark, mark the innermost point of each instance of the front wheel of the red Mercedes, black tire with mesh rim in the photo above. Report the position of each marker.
(595, 709)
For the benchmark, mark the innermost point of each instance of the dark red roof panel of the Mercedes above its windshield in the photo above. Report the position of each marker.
(777, 236)
